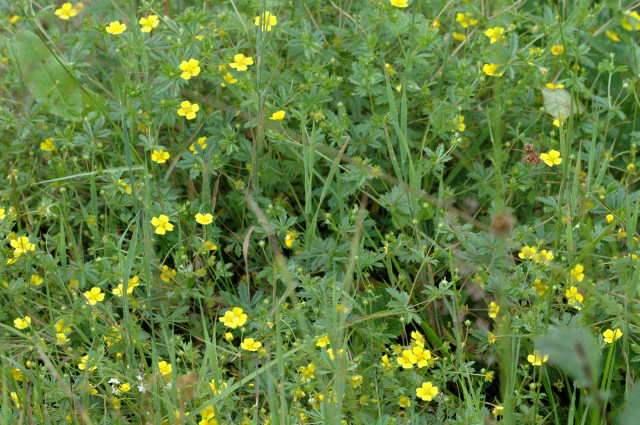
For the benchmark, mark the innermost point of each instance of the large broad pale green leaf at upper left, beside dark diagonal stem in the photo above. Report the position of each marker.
(47, 79)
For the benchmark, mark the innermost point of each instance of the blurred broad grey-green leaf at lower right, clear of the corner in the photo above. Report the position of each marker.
(575, 351)
